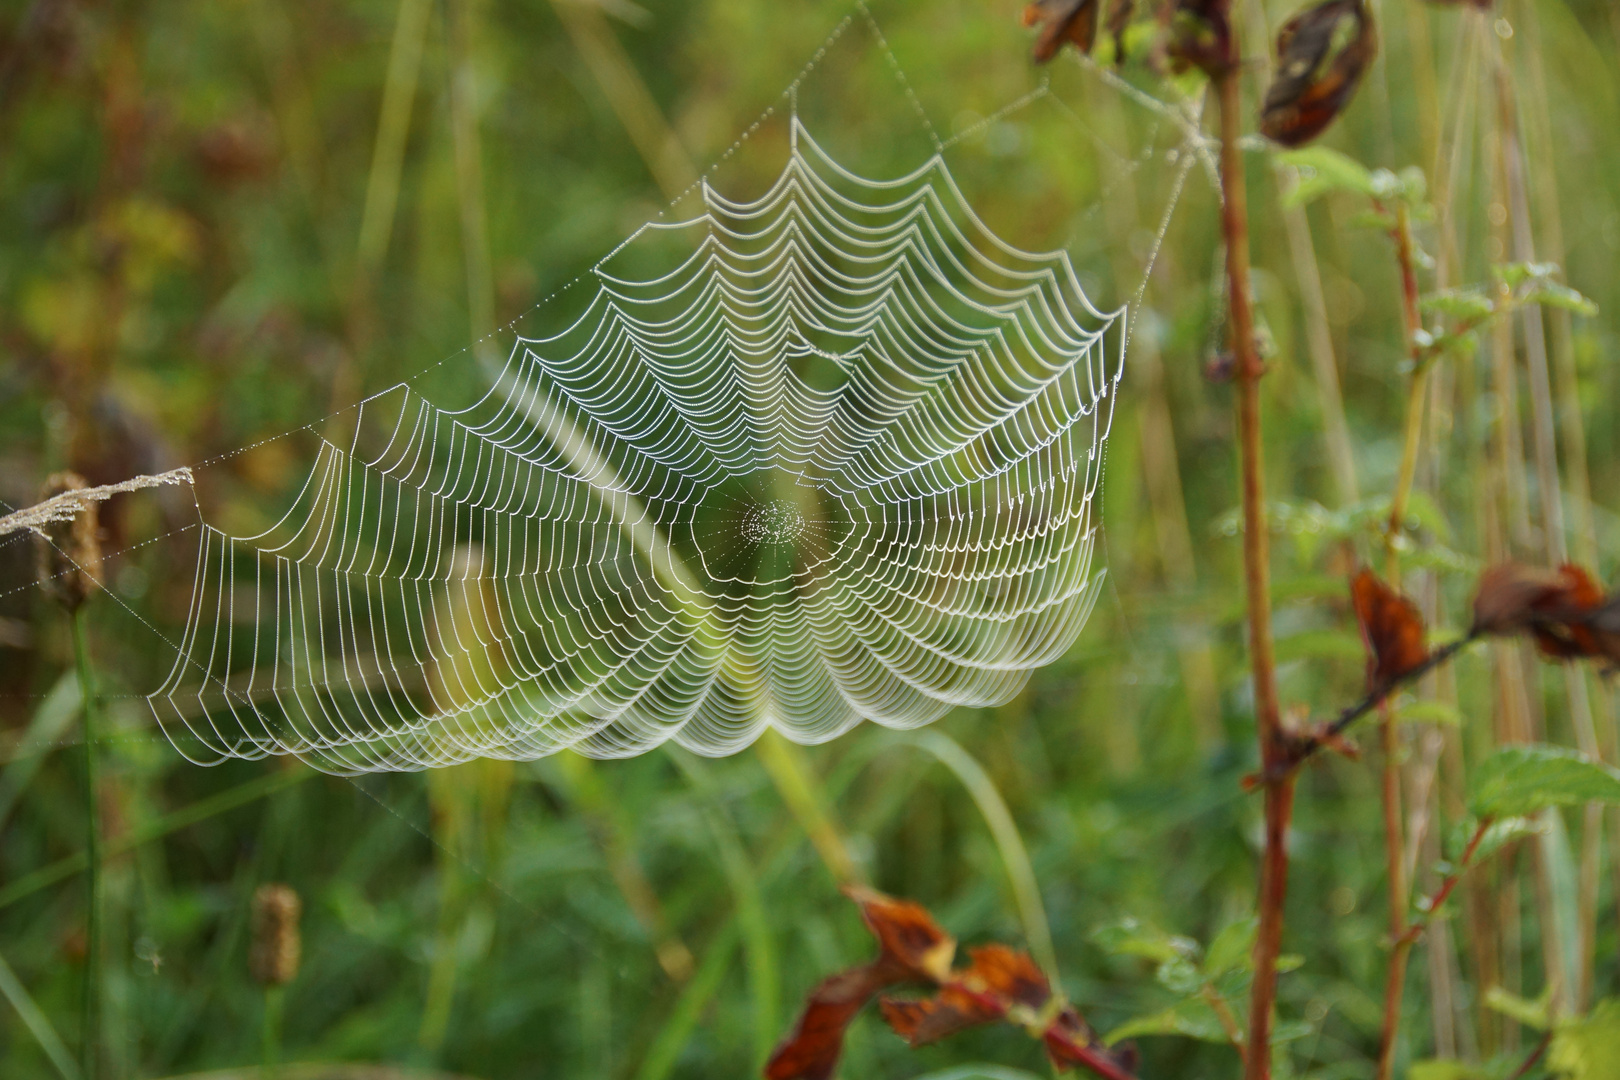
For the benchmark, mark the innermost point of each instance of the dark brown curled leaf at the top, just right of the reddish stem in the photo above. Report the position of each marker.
(1321, 56)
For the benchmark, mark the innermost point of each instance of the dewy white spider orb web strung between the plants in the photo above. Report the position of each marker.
(835, 464)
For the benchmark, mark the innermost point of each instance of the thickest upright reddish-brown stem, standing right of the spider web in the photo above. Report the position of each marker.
(1274, 747)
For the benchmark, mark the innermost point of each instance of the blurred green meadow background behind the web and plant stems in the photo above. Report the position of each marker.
(205, 242)
